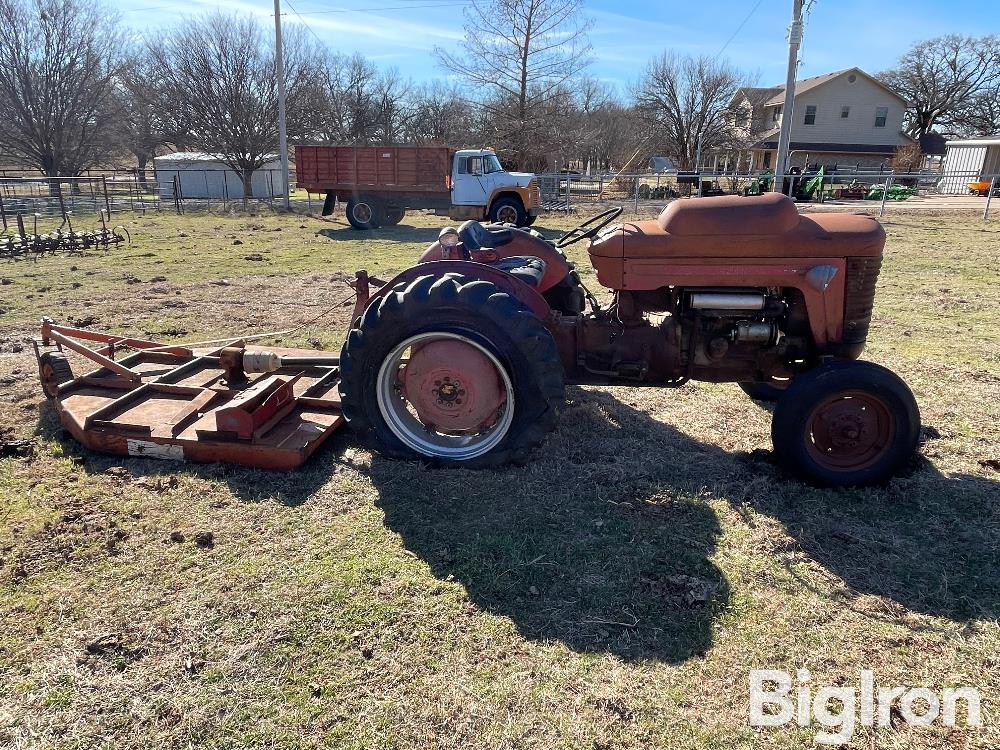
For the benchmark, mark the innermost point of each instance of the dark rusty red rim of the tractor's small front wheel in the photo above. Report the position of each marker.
(850, 431)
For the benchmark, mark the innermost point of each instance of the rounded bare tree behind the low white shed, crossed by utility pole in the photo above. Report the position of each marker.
(219, 73)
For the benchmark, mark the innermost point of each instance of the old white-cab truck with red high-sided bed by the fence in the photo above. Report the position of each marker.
(379, 184)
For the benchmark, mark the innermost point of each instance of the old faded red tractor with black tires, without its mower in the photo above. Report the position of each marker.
(463, 358)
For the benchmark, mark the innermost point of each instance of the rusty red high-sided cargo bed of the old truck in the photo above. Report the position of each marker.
(411, 169)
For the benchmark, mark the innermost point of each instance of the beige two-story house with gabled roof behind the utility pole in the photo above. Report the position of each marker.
(844, 118)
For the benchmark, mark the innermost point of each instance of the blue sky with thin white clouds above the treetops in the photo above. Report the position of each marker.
(839, 33)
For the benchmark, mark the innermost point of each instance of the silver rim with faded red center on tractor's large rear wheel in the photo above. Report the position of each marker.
(445, 406)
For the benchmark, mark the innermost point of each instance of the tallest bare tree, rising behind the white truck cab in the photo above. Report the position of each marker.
(521, 54)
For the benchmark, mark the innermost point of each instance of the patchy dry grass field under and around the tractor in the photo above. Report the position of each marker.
(614, 593)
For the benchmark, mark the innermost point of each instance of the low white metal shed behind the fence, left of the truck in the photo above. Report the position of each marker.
(201, 175)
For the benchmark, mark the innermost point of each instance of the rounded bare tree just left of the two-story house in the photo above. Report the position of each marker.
(685, 102)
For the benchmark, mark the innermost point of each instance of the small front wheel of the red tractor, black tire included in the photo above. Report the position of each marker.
(846, 424)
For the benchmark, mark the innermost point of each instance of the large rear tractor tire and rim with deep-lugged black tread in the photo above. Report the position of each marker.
(451, 370)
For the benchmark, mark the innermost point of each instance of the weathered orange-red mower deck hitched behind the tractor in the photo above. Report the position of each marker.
(183, 407)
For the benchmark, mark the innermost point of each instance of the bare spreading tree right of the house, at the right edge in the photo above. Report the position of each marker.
(940, 76)
